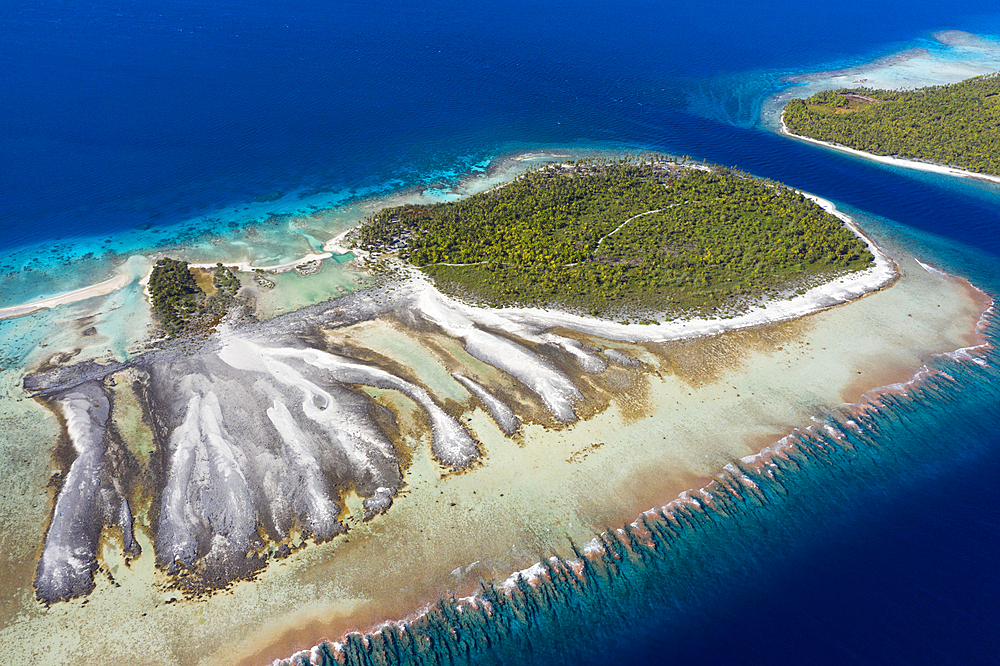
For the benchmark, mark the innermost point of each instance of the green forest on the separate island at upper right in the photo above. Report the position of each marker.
(956, 125)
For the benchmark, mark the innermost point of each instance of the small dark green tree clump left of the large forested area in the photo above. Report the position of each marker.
(181, 305)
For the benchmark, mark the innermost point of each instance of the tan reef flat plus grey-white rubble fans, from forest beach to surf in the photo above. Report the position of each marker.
(495, 435)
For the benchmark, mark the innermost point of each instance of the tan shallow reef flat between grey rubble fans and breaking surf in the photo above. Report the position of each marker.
(537, 489)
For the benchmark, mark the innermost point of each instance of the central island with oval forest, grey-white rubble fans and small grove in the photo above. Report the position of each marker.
(231, 405)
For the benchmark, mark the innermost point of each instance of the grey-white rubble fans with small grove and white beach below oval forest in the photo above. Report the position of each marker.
(257, 432)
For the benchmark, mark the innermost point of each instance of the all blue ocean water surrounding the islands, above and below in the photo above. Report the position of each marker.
(128, 128)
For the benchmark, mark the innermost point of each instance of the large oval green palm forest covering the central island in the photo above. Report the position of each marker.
(622, 237)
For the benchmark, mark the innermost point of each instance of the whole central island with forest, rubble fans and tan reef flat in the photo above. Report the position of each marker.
(432, 440)
